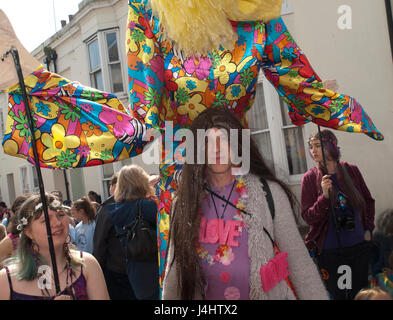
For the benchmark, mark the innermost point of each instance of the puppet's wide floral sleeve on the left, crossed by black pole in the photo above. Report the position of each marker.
(75, 126)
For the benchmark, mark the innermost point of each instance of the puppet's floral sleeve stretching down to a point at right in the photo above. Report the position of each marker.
(288, 69)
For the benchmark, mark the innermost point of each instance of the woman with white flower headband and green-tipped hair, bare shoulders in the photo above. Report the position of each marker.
(28, 274)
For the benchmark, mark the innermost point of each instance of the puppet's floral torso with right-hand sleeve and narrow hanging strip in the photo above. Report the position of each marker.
(166, 86)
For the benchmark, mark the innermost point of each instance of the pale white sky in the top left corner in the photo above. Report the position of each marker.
(34, 20)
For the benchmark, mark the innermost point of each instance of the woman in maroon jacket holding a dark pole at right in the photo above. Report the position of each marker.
(354, 209)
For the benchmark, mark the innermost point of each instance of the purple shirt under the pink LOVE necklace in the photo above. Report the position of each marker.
(224, 247)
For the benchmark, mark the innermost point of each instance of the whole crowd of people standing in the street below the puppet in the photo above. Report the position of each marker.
(232, 236)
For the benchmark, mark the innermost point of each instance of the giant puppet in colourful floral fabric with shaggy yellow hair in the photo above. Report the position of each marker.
(183, 56)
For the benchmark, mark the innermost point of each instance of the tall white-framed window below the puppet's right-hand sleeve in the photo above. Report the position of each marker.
(281, 143)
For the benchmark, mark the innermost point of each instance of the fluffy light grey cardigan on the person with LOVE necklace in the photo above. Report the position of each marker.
(303, 272)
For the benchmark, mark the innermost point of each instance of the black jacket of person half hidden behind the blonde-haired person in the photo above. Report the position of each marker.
(107, 248)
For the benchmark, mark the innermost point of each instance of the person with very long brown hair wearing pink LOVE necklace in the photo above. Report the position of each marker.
(224, 242)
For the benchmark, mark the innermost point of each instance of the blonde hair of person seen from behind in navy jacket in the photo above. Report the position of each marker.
(132, 184)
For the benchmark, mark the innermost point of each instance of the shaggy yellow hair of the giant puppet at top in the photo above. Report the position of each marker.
(199, 26)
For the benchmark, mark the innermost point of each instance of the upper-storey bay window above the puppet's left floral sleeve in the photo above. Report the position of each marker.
(104, 61)
